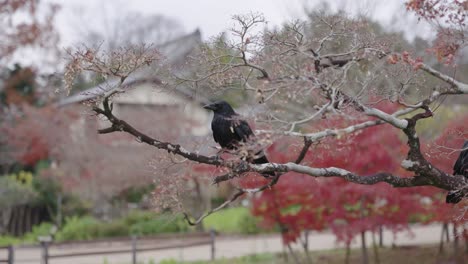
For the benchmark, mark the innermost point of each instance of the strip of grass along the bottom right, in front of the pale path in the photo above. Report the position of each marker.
(400, 255)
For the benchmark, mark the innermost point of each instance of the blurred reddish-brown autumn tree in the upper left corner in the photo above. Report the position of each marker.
(25, 25)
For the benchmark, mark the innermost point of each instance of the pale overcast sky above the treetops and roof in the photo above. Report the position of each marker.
(212, 17)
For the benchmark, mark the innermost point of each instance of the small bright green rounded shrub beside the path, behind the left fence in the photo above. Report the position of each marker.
(79, 228)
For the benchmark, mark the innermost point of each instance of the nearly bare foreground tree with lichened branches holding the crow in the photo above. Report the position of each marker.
(297, 77)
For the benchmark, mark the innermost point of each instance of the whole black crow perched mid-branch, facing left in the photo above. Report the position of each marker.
(231, 131)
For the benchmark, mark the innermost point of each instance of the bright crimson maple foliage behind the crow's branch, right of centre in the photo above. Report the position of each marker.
(300, 202)
